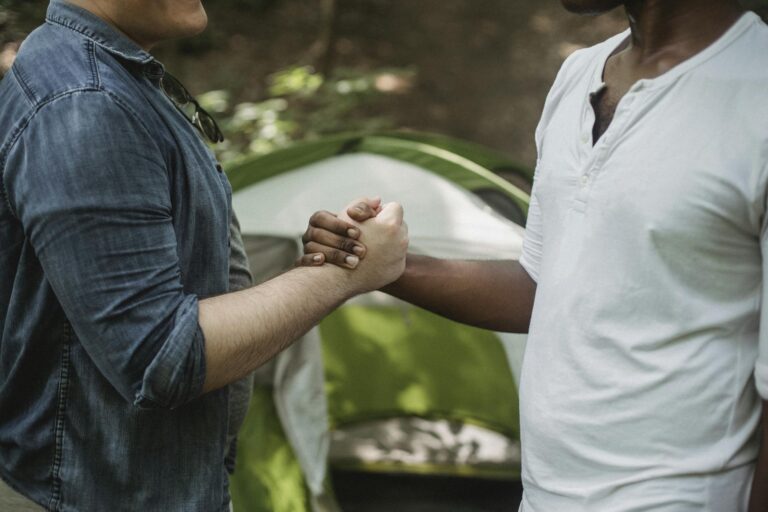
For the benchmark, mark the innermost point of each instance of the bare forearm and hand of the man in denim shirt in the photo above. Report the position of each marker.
(244, 330)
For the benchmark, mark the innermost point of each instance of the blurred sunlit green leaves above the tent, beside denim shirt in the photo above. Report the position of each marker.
(302, 104)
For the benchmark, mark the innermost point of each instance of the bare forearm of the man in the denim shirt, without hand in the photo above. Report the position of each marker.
(245, 329)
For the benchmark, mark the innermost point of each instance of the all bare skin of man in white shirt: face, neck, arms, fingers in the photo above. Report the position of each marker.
(500, 295)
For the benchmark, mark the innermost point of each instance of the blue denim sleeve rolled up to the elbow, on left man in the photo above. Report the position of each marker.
(98, 216)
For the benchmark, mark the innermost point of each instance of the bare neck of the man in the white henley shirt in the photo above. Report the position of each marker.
(679, 26)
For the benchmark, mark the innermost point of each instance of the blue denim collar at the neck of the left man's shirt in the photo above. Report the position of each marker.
(98, 30)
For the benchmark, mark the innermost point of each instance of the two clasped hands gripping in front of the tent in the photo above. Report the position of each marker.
(368, 238)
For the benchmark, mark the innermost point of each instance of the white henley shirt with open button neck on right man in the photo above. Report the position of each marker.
(638, 388)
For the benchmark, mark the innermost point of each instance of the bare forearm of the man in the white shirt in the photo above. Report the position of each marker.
(495, 295)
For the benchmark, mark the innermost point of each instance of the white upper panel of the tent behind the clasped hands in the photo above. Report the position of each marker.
(442, 217)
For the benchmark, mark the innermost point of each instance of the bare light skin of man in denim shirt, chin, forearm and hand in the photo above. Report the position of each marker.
(245, 329)
